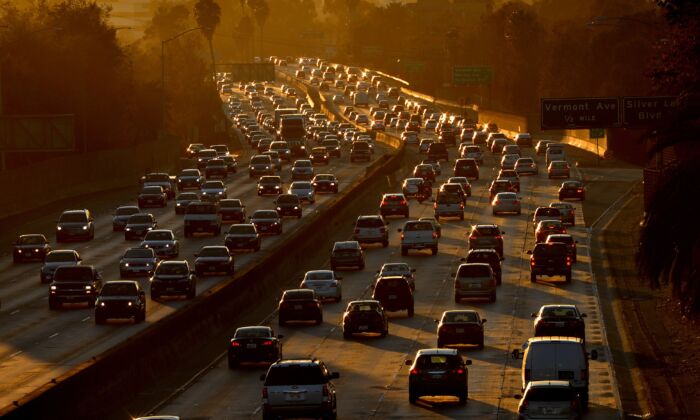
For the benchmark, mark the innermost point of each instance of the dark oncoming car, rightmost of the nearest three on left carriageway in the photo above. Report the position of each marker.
(173, 278)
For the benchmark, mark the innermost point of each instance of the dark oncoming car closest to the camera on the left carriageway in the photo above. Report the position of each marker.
(120, 299)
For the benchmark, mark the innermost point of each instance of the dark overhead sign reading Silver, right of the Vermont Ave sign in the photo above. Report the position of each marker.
(644, 111)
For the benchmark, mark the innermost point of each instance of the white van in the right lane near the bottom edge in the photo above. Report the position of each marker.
(557, 358)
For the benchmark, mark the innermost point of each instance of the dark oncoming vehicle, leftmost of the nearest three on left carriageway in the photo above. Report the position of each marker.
(80, 283)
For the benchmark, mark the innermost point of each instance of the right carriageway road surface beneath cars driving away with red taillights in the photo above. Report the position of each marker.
(373, 381)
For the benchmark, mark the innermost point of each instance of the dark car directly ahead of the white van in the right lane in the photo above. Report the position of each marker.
(559, 320)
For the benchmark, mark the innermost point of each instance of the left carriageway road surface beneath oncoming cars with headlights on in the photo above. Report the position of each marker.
(37, 344)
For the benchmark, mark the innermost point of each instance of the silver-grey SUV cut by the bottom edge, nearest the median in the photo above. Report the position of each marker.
(299, 388)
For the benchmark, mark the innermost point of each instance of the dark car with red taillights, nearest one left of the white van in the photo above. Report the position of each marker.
(438, 372)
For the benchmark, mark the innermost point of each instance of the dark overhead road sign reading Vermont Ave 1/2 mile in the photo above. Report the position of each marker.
(563, 113)
